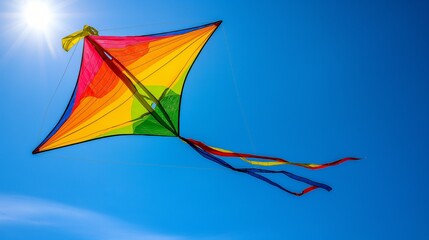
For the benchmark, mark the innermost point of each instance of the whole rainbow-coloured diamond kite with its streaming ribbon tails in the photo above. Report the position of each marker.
(132, 85)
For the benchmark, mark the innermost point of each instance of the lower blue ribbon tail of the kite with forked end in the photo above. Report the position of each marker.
(256, 172)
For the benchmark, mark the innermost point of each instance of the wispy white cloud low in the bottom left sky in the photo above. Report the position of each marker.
(81, 222)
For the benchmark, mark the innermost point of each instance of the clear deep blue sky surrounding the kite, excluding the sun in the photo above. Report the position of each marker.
(310, 81)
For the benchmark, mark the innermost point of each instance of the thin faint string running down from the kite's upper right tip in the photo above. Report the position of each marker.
(240, 104)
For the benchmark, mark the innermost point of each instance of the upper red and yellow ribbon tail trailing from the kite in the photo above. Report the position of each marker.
(268, 161)
